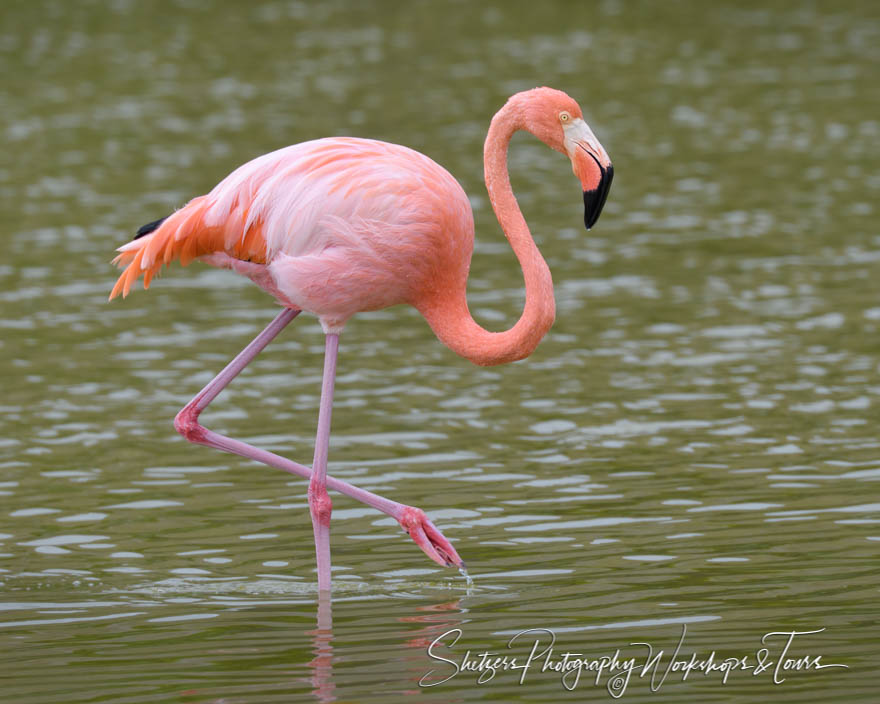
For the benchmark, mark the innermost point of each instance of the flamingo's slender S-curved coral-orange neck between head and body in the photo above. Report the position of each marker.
(449, 315)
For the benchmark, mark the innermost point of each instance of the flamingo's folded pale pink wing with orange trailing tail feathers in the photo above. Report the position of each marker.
(299, 201)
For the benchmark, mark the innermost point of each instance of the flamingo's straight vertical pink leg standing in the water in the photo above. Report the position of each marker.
(320, 505)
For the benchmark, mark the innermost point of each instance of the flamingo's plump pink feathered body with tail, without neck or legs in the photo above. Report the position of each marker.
(332, 226)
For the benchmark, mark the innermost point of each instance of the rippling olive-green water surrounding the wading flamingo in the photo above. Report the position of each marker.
(694, 443)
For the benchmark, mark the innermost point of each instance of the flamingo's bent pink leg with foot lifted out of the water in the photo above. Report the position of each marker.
(413, 520)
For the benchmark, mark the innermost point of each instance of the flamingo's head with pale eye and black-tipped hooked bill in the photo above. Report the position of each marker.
(557, 120)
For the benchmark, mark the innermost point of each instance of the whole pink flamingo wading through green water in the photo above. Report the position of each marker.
(341, 225)
